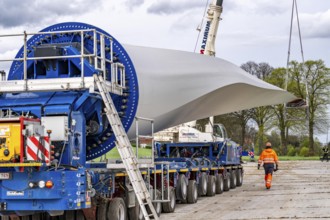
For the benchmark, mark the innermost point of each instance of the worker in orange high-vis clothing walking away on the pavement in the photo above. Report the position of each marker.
(269, 160)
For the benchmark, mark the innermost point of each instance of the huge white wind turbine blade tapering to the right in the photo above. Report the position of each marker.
(177, 87)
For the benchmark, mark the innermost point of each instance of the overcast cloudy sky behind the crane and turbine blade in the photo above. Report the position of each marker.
(251, 30)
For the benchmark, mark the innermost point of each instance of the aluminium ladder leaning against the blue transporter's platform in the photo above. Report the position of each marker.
(125, 150)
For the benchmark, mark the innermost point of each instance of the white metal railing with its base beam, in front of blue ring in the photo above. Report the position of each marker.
(117, 79)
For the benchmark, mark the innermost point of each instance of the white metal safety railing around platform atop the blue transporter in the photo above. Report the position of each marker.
(117, 69)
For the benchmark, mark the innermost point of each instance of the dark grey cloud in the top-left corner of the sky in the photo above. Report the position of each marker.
(29, 12)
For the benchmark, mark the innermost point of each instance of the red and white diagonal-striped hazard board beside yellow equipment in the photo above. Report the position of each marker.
(38, 149)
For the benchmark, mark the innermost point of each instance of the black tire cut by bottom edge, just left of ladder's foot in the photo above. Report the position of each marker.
(117, 209)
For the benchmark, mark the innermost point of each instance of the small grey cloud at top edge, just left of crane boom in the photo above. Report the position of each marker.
(167, 7)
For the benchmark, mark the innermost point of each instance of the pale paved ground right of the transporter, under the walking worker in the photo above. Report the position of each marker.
(300, 190)
